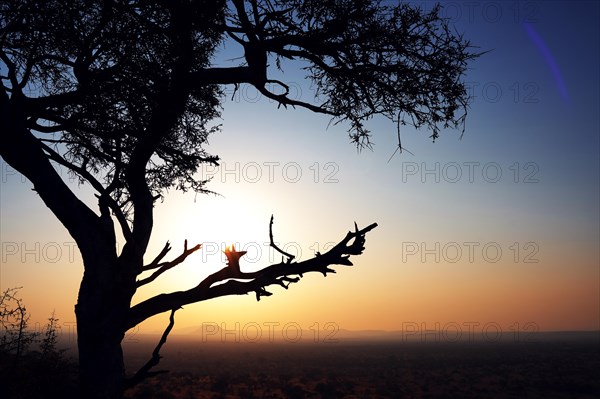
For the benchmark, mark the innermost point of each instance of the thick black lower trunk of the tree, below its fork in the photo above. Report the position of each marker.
(101, 311)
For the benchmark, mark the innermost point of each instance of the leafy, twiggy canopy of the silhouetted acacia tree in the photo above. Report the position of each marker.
(112, 86)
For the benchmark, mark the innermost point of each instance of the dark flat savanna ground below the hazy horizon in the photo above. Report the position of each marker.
(546, 368)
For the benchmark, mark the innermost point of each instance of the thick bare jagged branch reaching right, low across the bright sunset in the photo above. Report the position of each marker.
(277, 274)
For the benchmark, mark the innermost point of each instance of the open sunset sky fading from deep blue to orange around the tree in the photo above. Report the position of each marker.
(501, 226)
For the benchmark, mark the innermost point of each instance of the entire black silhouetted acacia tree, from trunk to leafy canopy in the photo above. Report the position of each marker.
(123, 94)
